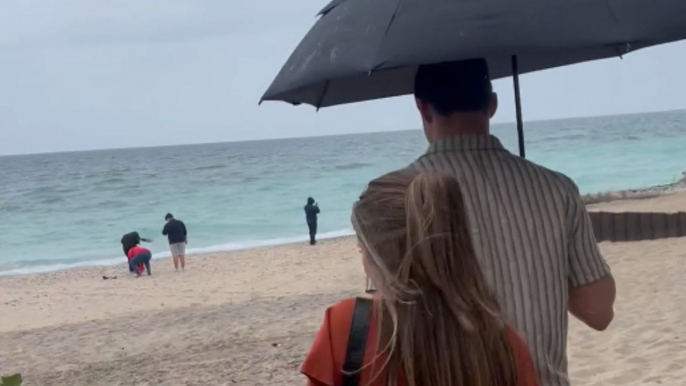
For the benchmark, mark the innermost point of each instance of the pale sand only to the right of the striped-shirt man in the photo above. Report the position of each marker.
(646, 344)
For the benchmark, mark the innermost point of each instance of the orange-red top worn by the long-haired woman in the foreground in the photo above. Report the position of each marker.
(326, 357)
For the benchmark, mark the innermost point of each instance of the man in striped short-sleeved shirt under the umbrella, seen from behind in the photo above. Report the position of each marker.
(531, 231)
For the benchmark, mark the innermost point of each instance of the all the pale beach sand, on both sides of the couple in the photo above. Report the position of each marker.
(247, 318)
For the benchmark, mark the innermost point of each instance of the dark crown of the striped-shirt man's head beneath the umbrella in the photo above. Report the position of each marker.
(454, 87)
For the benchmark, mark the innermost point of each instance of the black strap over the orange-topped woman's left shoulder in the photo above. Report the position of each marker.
(357, 341)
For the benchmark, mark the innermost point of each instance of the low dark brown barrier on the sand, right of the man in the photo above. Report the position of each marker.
(634, 226)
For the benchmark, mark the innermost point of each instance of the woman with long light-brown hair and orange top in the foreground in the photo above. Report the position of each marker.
(434, 320)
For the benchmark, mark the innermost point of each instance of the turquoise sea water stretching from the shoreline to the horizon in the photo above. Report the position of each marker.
(70, 209)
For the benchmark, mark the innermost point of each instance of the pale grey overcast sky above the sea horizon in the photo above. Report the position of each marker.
(90, 74)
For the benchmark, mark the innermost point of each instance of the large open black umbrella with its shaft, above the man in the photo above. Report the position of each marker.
(368, 49)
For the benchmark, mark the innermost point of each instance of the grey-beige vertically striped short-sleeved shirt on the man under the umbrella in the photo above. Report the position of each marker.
(532, 236)
